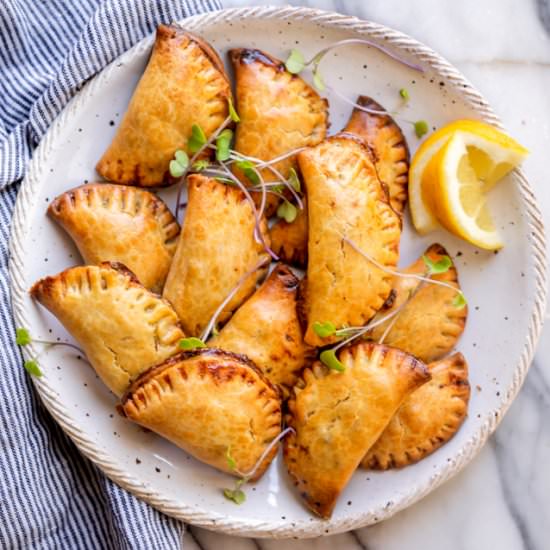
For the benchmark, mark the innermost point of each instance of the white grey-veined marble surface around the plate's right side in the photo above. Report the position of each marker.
(502, 500)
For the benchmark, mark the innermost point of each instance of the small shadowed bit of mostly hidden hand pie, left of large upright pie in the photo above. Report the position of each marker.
(289, 240)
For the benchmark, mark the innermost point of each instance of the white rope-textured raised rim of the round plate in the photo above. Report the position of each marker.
(263, 528)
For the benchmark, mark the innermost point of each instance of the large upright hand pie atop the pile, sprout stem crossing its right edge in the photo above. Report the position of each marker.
(346, 199)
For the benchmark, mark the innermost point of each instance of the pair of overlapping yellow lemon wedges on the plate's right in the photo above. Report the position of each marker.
(450, 175)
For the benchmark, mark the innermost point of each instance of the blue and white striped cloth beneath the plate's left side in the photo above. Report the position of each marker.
(51, 496)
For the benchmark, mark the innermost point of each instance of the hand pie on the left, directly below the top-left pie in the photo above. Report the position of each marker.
(120, 224)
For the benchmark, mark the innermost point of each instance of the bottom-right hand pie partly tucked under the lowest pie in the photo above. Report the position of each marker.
(427, 419)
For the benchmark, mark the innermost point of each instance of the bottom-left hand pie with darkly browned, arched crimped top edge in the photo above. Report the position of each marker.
(209, 402)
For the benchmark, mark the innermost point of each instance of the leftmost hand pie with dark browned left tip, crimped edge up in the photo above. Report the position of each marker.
(122, 327)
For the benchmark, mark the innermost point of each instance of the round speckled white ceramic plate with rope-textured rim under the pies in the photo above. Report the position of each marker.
(506, 292)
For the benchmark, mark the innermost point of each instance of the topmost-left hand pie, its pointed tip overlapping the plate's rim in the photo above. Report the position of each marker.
(184, 84)
